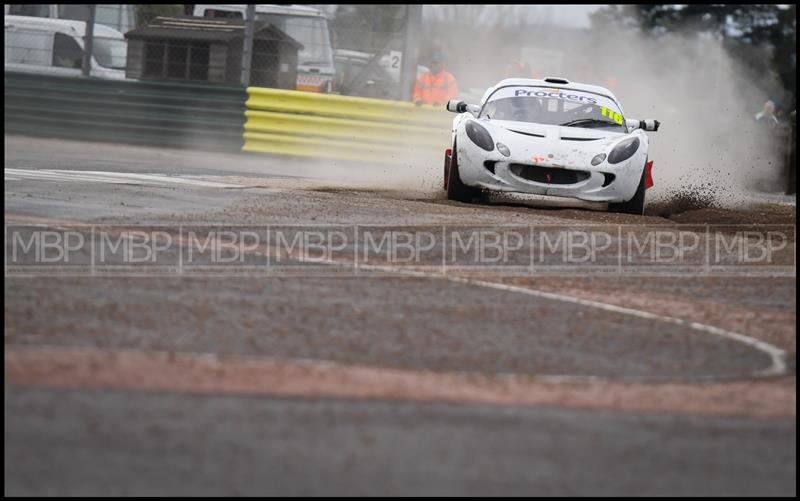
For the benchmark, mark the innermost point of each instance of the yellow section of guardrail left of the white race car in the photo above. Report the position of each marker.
(342, 127)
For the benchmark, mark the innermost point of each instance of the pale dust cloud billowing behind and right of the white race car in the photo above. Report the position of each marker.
(709, 150)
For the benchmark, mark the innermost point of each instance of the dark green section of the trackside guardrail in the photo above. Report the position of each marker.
(204, 117)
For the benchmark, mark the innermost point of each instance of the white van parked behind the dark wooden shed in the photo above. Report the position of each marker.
(309, 26)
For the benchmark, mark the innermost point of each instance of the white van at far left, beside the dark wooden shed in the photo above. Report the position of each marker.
(55, 47)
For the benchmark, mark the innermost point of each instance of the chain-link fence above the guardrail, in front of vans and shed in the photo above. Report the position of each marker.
(354, 50)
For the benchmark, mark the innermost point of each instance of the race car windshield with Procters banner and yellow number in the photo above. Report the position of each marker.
(563, 107)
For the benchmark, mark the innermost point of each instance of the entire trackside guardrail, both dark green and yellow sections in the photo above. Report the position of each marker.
(222, 118)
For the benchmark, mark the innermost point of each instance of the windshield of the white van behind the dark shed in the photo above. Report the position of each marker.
(312, 32)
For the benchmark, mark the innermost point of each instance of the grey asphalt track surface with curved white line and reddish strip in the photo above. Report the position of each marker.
(395, 382)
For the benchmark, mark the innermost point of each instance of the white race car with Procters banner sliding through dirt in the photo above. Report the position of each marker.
(549, 137)
